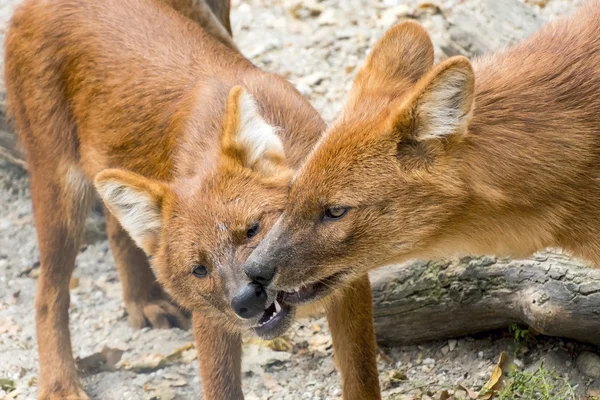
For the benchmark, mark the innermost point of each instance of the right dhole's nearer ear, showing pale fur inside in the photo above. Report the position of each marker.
(440, 105)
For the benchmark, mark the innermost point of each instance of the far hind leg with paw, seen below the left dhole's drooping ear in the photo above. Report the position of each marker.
(146, 303)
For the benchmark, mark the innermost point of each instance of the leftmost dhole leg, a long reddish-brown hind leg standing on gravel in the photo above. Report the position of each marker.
(60, 203)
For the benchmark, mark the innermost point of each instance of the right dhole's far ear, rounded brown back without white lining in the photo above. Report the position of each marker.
(402, 56)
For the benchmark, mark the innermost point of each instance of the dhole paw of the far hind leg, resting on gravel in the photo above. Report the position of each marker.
(161, 314)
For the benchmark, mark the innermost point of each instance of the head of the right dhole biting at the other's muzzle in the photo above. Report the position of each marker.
(383, 181)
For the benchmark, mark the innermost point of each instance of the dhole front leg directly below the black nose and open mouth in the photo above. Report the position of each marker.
(220, 358)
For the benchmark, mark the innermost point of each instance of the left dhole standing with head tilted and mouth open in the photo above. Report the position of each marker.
(191, 148)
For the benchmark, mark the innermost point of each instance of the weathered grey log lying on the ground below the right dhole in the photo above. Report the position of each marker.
(552, 293)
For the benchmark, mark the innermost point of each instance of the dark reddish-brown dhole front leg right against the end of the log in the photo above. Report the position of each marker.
(350, 318)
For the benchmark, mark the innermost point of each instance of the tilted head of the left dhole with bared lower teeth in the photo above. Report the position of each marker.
(198, 230)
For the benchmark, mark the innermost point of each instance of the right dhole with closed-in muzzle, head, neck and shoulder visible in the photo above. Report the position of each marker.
(501, 156)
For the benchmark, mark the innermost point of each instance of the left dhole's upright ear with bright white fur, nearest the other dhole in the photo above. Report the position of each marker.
(247, 138)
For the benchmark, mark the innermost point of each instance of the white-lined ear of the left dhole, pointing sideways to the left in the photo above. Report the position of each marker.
(136, 202)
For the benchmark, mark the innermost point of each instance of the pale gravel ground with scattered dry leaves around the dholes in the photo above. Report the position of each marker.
(317, 45)
